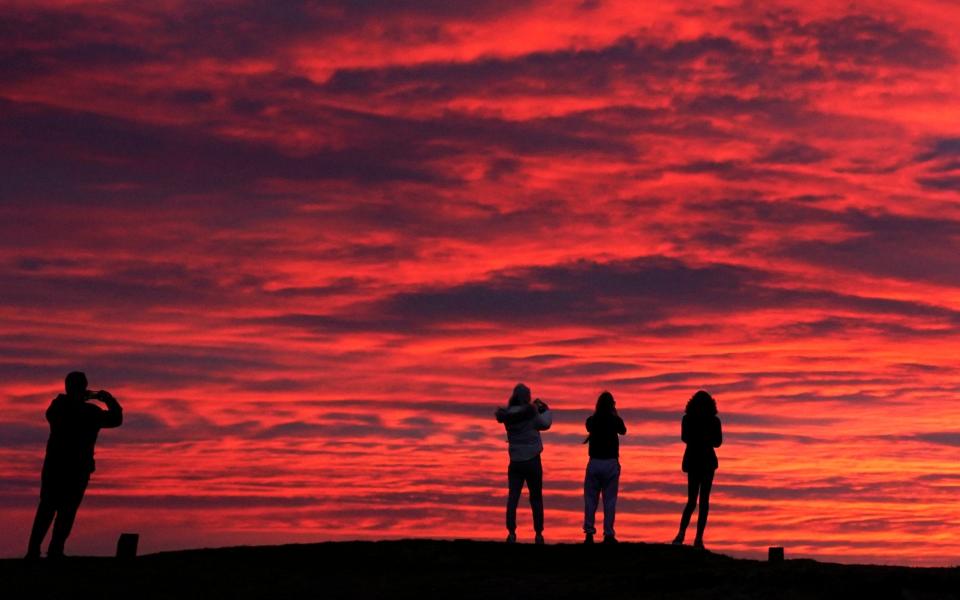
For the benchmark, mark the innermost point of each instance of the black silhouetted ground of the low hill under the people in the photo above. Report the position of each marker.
(464, 569)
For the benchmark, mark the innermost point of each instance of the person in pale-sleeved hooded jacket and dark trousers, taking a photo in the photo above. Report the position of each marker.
(524, 421)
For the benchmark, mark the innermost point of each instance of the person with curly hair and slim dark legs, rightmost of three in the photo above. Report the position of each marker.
(701, 431)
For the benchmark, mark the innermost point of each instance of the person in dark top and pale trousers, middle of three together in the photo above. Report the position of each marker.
(603, 469)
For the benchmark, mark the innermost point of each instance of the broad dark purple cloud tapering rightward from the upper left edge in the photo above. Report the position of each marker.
(65, 155)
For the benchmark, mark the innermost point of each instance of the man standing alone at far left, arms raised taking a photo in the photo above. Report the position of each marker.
(74, 424)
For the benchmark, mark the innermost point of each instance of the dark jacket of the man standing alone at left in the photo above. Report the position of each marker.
(74, 425)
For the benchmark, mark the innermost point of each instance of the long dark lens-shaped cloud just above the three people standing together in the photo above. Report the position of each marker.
(632, 294)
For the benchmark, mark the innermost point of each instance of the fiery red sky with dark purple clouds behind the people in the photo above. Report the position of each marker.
(312, 246)
